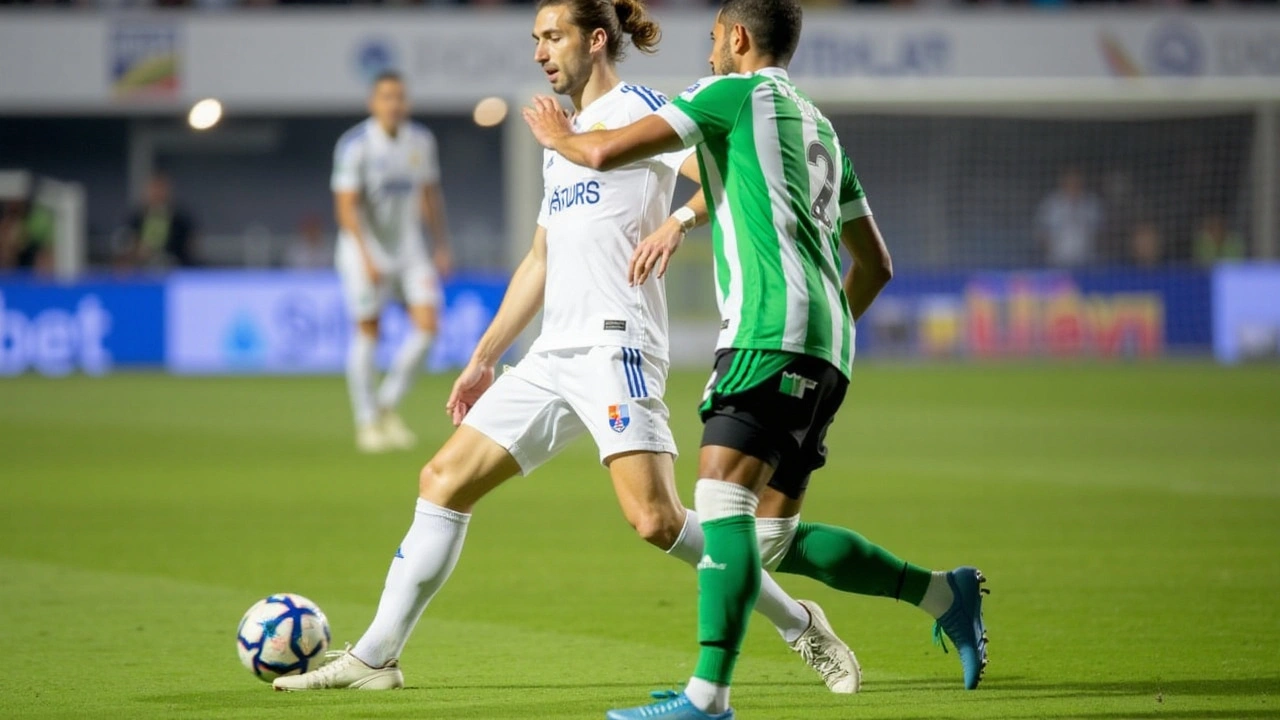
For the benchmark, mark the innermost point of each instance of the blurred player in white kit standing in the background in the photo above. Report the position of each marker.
(386, 183)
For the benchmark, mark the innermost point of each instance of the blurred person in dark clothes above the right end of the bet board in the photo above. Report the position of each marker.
(162, 235)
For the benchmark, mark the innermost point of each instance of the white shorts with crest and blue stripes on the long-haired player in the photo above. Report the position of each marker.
(547, 402)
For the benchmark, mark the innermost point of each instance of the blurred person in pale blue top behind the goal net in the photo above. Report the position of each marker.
(1068, 222)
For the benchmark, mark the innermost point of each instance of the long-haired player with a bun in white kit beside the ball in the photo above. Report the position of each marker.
(598, 368)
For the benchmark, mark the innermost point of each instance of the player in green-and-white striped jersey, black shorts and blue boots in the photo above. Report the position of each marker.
(783, 197)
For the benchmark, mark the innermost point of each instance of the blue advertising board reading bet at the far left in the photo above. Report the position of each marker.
(88, 327)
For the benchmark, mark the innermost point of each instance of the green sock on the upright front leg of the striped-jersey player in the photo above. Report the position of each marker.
(729, 582)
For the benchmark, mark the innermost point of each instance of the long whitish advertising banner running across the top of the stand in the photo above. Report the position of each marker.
(312, 61)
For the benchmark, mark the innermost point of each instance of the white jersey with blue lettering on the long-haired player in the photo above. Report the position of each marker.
(595, 221)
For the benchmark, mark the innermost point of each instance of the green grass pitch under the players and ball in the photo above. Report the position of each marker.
(1128, 520)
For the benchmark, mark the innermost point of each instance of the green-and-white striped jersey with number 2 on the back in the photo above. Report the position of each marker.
(779, 186)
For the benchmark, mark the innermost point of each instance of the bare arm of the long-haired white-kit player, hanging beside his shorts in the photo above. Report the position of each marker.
(520, 304)
